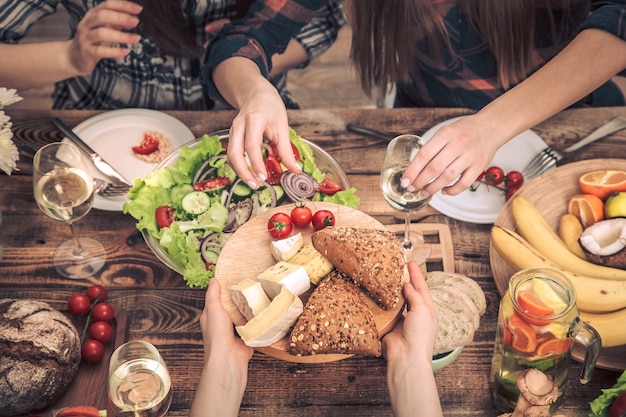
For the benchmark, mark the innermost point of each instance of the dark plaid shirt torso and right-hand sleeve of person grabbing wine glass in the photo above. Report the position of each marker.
(471, 80)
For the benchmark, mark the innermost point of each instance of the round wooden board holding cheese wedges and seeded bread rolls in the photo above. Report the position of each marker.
(248, 253)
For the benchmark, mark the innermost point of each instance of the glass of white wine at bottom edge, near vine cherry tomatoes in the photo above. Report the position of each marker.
(139, 383)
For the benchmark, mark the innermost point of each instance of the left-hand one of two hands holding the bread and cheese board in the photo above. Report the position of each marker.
(218, 334)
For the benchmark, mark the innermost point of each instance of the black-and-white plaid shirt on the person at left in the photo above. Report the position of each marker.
(148, 78)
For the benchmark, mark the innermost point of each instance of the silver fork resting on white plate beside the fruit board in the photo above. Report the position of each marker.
(548, 157)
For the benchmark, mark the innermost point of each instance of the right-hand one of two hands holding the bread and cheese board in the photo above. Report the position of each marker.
(414, 336)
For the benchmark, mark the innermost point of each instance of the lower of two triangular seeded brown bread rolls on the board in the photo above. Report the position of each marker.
(335, 319)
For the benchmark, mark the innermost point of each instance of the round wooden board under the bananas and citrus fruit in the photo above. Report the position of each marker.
(550, 192)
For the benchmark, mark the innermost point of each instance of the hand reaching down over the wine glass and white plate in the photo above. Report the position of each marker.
(461, 150)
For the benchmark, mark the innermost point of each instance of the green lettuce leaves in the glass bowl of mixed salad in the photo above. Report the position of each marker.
(168, 185)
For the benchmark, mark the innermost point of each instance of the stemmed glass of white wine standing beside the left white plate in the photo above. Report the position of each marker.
(63, 189)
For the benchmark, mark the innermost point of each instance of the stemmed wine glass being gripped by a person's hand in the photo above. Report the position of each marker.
(400, 152)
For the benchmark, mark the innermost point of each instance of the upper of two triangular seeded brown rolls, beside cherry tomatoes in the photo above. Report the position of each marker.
(374, 259)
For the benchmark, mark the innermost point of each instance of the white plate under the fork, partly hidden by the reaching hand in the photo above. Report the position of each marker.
(483, 205)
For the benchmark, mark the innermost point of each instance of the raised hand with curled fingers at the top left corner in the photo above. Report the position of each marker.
(103, 33)
